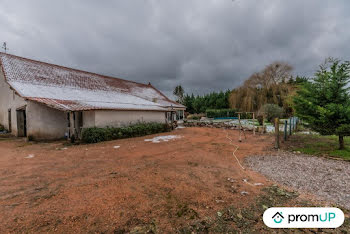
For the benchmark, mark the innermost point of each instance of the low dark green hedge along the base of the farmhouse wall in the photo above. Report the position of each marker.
(95, 135)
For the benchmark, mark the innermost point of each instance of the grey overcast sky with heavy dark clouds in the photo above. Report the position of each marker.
(204, 45)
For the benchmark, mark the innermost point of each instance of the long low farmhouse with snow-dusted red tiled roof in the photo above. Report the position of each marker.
(46, 101)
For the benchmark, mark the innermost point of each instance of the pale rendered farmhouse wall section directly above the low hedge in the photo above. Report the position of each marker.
(123, 118)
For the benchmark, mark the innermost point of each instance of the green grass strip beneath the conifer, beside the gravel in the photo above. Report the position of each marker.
(319, 145)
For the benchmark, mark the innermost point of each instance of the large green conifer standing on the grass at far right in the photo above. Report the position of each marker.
(324, 102)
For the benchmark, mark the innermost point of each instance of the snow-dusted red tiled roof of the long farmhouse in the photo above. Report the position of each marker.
(73, 90)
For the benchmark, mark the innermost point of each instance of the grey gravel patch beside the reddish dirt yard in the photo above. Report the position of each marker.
(329, 179)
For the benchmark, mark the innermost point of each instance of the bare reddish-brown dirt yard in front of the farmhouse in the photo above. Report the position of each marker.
(47, 187)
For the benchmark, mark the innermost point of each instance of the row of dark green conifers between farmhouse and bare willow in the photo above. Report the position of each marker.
(199, 104)
